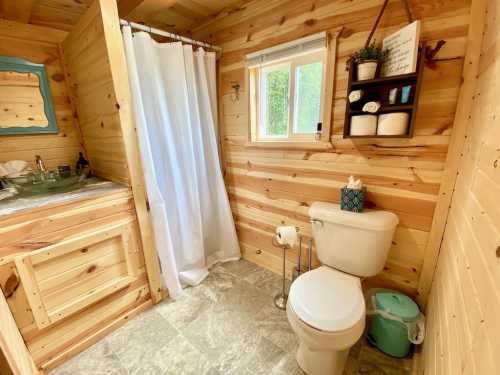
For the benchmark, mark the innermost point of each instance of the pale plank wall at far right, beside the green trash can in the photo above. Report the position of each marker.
(463, 327)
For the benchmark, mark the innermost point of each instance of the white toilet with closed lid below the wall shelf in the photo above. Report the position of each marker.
(326, 307)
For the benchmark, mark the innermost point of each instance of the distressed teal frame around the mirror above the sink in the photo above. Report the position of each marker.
(14, 64)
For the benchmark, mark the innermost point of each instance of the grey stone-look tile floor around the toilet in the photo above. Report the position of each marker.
(226, 325)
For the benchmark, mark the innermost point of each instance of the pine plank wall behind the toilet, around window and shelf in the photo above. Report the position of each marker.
(276, 186)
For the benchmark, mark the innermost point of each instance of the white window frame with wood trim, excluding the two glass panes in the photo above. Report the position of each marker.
(257, 136)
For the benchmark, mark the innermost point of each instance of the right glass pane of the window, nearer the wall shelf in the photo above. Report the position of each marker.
(308, 82)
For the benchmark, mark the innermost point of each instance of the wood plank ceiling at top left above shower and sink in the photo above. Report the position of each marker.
(179, 16)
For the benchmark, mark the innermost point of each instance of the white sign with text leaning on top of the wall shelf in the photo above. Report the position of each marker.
(403, 51)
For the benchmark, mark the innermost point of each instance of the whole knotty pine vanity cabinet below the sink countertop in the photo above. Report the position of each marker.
(72, 272)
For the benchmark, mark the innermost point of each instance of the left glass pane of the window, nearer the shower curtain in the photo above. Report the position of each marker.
(276, 88)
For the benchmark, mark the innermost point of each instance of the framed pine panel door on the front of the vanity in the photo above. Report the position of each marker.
(66, 277)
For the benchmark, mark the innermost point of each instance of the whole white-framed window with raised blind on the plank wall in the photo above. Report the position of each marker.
(289, 92)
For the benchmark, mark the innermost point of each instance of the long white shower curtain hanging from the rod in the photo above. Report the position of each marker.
(174, 104)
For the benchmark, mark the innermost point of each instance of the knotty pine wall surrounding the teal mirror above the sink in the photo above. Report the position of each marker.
(40, 44)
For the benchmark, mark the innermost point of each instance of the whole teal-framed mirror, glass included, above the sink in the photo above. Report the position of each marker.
(25, 99)
